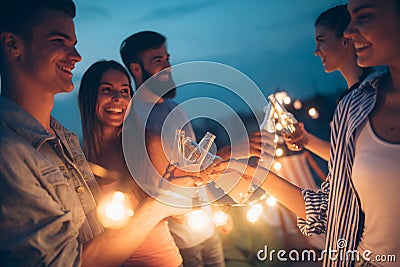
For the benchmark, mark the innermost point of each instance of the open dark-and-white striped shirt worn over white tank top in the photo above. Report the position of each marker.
(335, 209)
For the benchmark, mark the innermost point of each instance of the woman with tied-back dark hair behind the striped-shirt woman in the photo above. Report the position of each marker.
(337, 53)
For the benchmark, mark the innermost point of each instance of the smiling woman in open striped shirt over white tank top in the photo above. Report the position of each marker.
(357, 205)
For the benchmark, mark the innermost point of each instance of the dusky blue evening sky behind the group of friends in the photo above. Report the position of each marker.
(272, 42)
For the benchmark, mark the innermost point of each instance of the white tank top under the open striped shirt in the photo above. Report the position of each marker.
(376, 177)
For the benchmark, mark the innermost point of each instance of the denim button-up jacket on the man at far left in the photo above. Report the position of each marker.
(47, 192)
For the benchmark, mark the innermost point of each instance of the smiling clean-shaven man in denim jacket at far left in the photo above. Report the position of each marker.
(47, 191)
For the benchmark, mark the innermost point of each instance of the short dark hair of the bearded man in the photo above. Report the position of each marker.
(132, 47)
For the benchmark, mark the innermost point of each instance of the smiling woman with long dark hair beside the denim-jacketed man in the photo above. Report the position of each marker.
(104, 96)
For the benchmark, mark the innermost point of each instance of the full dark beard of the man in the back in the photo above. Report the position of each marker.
(164, 89)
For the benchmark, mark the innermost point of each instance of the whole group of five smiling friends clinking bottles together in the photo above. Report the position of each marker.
(50, 187)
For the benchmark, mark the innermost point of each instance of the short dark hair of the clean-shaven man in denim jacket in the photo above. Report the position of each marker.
(19, 16)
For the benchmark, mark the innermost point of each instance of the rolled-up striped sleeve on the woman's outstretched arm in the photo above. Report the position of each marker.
(316, 210)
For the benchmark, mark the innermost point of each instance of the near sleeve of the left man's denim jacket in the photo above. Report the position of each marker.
(35, 228)
